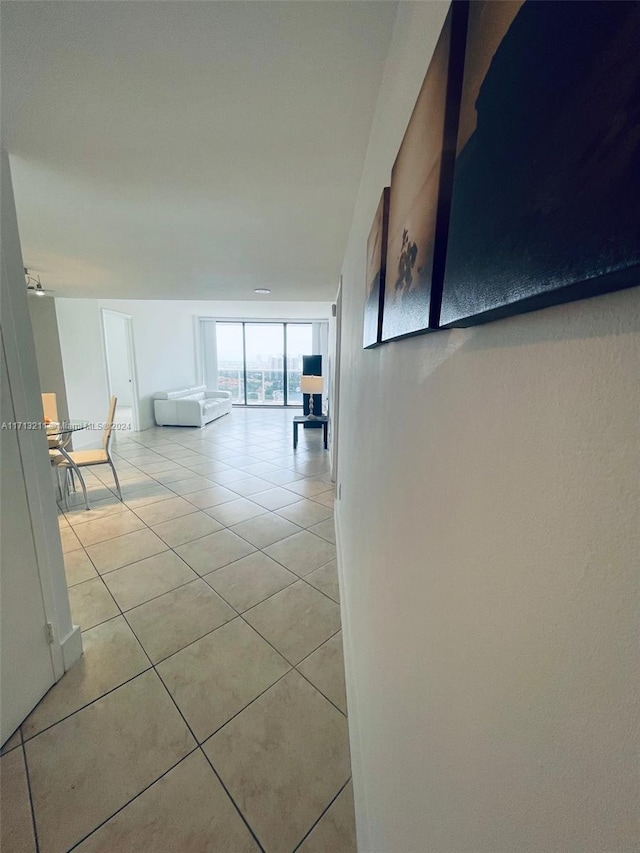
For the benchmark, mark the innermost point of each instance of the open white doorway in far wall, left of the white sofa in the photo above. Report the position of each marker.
(119, 357)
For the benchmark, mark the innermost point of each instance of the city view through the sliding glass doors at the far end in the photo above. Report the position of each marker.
(261, 363)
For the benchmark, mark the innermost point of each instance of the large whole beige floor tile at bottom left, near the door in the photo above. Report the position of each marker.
(91, 764)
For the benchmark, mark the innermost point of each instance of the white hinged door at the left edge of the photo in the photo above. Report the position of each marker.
(26, 665)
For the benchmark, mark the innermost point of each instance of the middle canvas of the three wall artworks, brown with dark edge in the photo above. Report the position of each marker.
(421, 190)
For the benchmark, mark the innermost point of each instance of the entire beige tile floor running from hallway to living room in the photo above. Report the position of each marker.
(208, 712)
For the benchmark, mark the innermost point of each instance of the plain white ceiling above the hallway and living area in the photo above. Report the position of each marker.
(189, 150)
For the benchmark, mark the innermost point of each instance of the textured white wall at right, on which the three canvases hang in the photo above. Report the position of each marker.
(488, 532)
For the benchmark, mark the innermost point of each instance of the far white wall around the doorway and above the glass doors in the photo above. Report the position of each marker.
(165, 344)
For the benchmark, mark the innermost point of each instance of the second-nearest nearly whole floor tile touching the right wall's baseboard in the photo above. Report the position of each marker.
(296, 620)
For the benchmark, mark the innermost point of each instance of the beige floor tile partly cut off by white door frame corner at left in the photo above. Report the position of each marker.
(112, 655)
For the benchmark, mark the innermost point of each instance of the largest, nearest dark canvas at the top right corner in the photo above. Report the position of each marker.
(546, 193)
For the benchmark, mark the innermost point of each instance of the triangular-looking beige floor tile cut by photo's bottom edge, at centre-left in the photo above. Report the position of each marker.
(187, 811)
